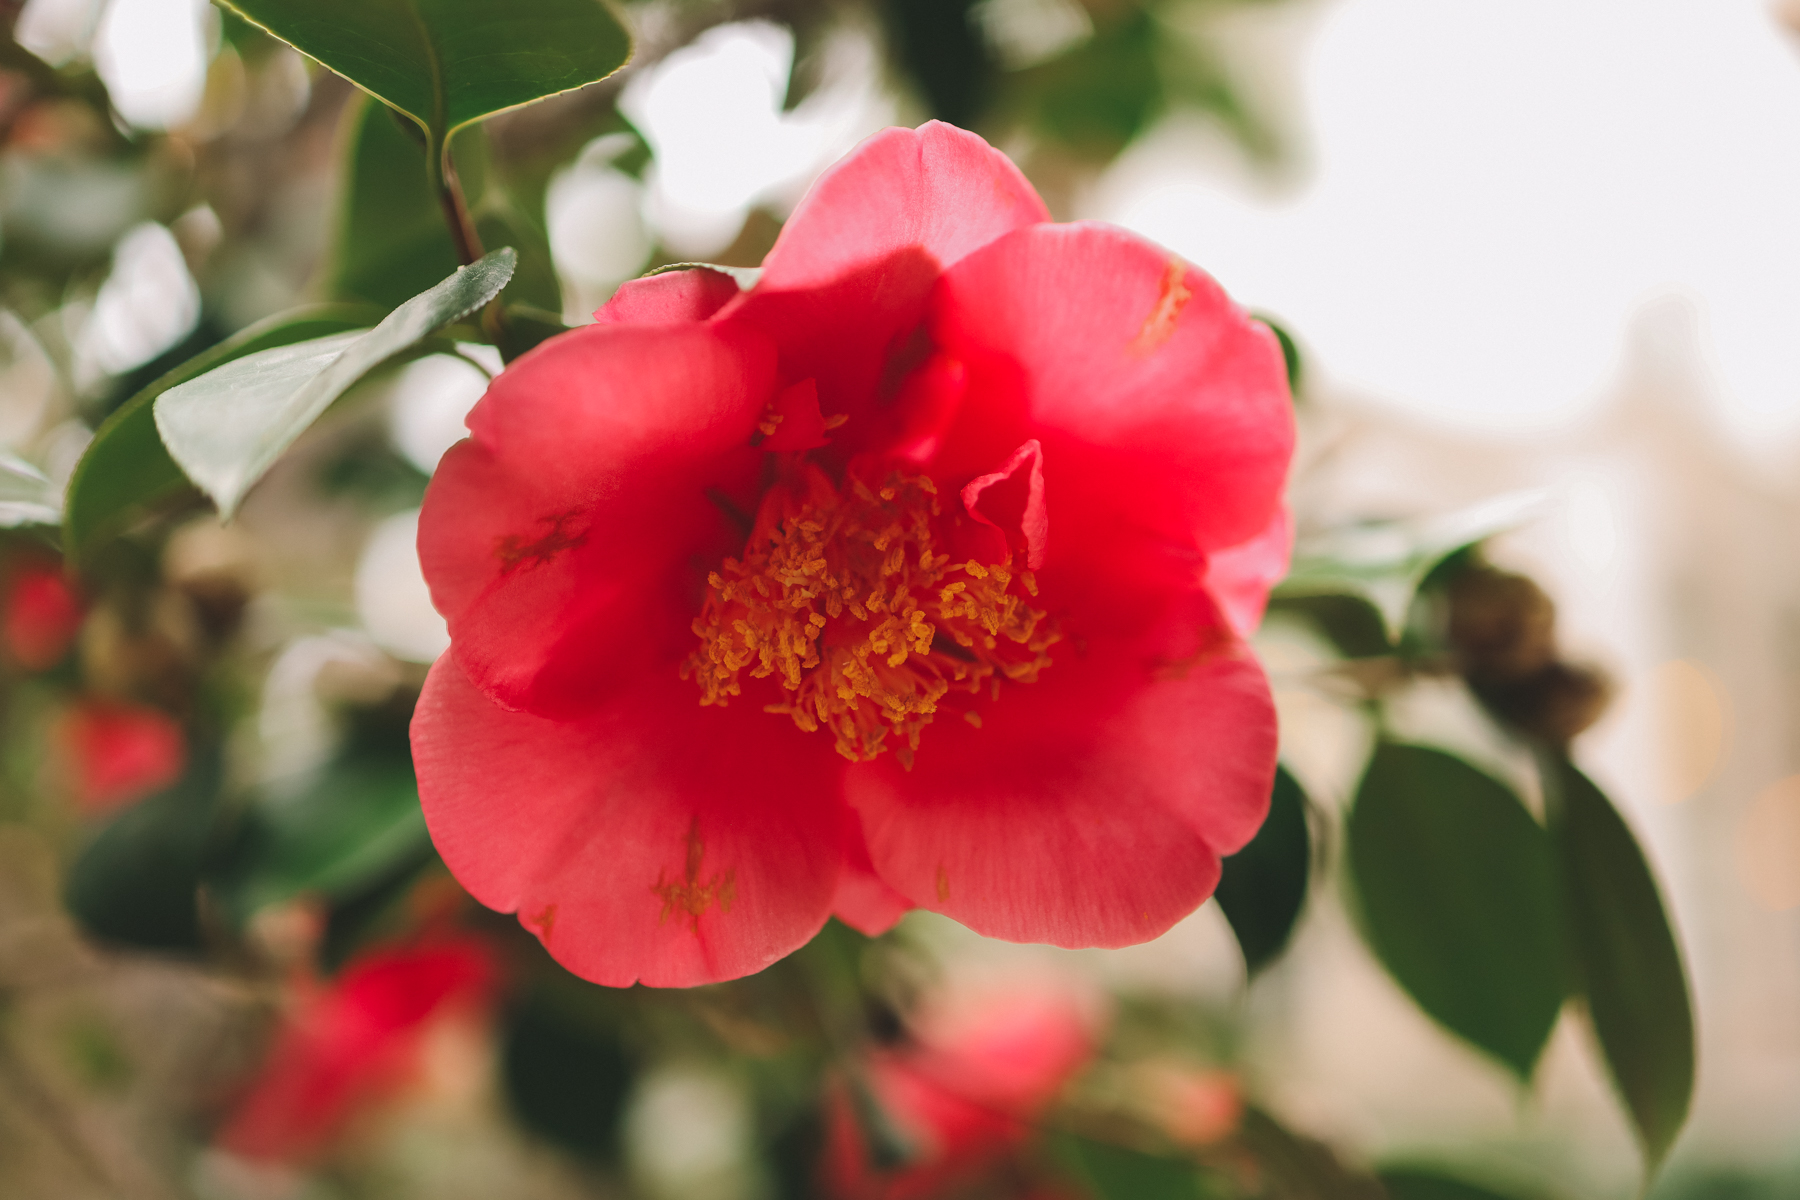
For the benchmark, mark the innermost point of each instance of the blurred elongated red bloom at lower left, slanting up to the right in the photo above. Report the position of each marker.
(354, 1043)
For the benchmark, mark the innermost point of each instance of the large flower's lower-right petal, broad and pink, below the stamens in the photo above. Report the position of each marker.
(1093, 805)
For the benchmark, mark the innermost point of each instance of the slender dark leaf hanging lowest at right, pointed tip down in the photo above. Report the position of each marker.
(1626, 960)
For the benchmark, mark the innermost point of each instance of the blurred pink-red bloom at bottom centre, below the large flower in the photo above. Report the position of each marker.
(962, 1095)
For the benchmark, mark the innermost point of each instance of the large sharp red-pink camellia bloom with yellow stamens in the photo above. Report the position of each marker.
(915, 575)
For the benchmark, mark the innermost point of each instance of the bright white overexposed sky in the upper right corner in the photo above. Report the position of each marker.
(1498, 186)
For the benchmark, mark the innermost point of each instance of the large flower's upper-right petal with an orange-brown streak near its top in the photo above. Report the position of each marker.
(1160, 406)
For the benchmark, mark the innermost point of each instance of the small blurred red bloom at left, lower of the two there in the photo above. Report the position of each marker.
(120, 753)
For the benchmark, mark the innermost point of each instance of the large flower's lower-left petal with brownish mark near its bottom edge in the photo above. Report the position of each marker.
(652, 841)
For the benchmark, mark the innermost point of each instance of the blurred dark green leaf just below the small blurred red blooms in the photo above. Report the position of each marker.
(138, 882)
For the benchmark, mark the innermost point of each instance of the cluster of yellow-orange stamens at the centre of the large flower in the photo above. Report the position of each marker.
(845, 596)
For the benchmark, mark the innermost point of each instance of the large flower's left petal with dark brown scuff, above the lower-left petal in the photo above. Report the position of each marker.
(562, 542)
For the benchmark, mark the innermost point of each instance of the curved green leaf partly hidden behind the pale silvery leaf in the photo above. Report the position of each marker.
(127, 465)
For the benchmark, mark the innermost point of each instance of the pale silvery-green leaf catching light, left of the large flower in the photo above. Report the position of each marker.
(228, 427)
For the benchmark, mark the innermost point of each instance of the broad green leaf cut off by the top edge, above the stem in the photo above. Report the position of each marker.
(451, 62)
